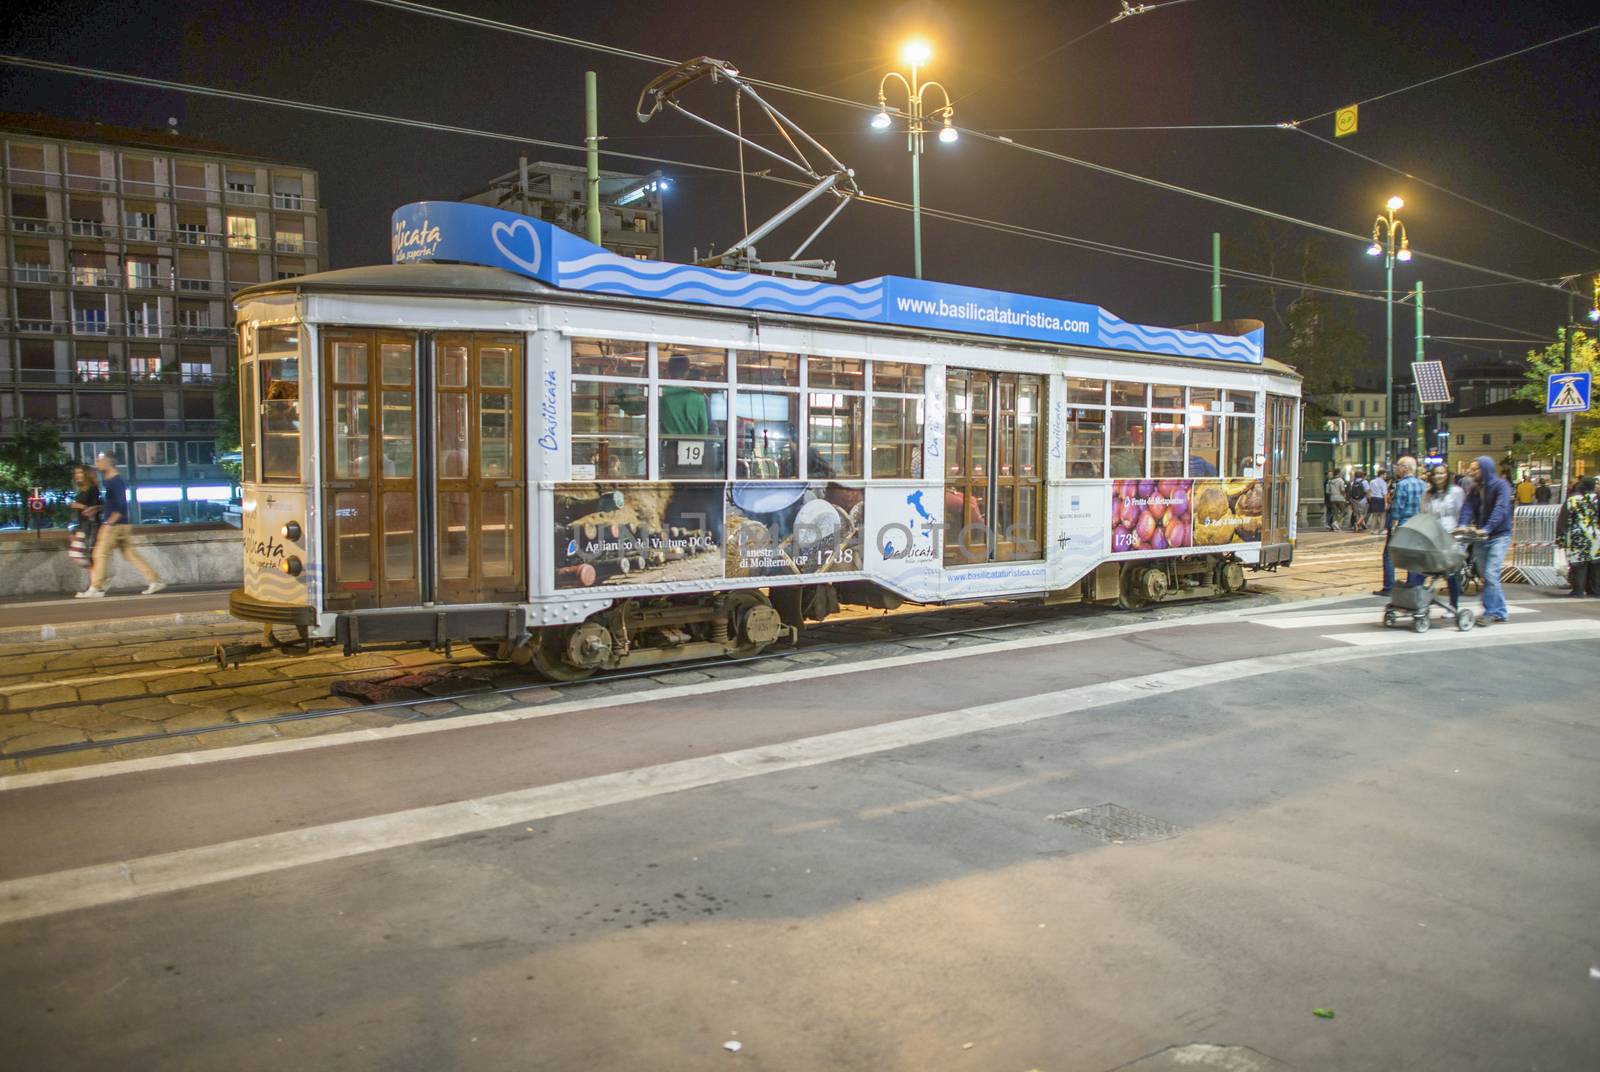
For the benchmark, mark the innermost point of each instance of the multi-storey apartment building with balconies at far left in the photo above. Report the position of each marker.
(121, 252)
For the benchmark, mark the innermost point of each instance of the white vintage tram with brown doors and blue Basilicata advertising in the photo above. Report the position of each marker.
(518, 441)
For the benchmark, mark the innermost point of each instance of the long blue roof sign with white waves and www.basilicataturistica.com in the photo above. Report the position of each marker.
(494, 238)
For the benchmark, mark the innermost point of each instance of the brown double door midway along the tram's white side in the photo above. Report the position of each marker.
(994, 481)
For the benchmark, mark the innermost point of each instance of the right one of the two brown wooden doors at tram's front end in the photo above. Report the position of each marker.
(479, 468)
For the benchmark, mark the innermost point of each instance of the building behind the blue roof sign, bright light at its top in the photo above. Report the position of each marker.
(631, 206)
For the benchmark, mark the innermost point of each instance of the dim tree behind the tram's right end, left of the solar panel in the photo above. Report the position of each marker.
(1310, 329)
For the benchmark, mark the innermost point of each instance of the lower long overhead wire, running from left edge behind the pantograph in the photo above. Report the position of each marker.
(449, 129)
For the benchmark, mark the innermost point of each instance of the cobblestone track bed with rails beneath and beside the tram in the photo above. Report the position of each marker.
(158, 692)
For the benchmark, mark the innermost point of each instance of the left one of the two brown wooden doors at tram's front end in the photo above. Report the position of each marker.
(370, 470)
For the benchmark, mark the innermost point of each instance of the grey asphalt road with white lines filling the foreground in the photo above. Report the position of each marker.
(898, 863)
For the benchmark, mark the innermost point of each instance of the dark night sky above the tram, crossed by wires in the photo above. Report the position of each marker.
(1522, 137)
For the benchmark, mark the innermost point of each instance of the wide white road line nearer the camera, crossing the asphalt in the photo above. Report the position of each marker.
(170, 873)
